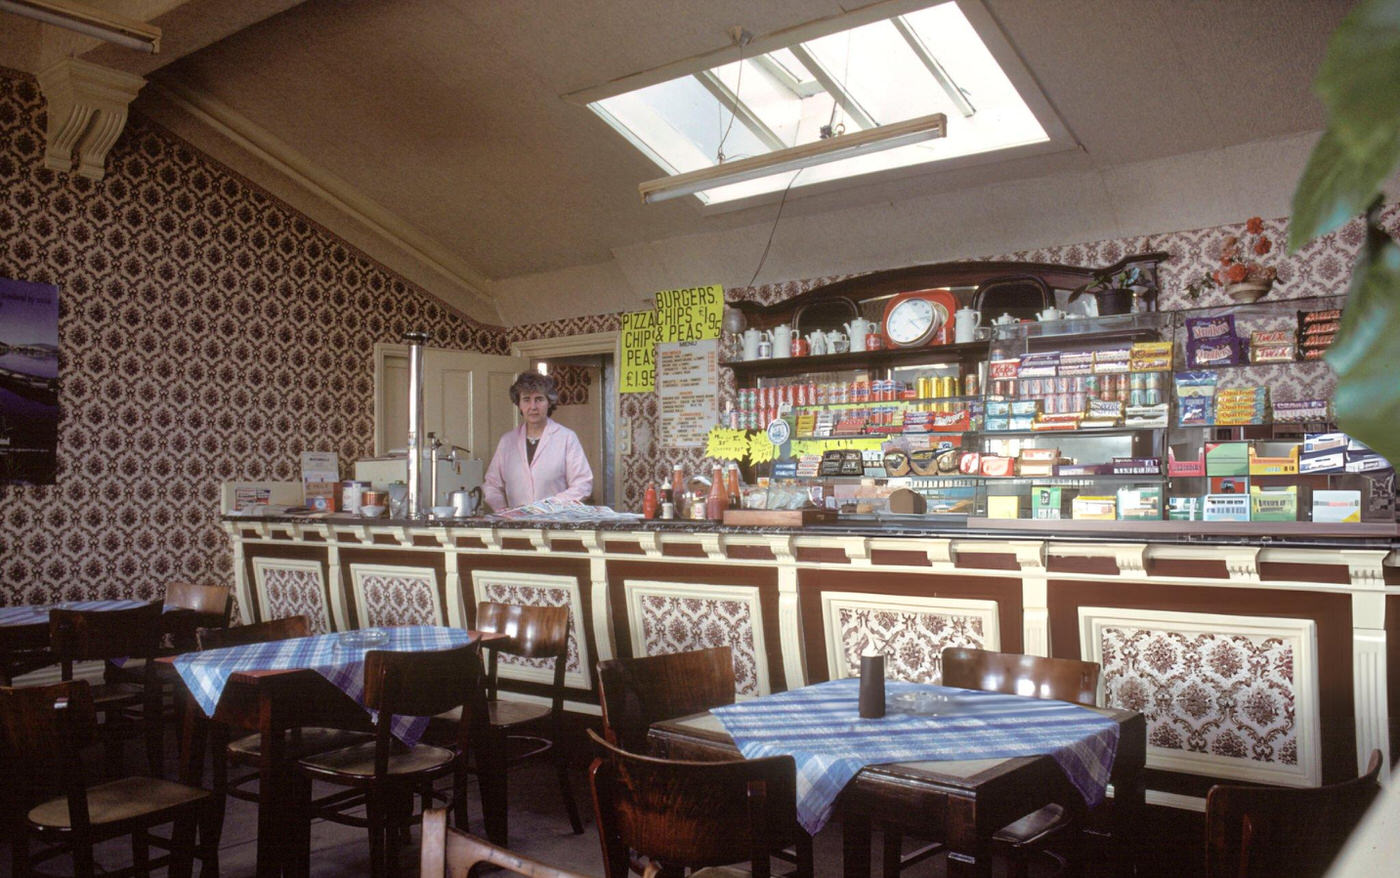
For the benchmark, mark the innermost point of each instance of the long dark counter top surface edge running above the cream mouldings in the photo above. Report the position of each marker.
(961, 527)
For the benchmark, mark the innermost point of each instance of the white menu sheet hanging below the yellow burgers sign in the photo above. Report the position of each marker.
(688, 391)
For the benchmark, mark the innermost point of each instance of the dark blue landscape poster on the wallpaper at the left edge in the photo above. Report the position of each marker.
(29, 383)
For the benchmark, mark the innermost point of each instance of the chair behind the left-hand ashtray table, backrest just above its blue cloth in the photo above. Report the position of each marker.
(247, 753)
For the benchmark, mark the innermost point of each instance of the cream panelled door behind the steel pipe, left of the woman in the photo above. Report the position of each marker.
(465, 398)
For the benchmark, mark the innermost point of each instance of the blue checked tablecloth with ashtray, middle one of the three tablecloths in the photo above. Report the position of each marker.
(208, 673)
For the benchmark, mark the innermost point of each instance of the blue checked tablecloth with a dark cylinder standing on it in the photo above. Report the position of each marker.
(821, 729)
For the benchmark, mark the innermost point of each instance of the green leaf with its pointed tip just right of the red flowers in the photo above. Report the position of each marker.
(1336, 187)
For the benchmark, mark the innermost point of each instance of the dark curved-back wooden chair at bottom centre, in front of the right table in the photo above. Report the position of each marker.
(696, 814)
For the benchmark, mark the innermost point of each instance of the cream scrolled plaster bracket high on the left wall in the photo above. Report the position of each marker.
(87, 113)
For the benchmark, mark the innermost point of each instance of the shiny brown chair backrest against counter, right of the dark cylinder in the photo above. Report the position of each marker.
(1066, 680)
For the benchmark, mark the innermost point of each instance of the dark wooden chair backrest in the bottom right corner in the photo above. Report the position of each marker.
(1254, 831)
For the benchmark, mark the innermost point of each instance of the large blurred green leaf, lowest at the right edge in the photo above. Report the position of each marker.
(1367, 351)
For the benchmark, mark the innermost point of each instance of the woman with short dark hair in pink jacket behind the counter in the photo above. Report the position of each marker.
(541, 459)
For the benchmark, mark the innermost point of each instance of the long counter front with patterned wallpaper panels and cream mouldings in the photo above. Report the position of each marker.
(1254, 656)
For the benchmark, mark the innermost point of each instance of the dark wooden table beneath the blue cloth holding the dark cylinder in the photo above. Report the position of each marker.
(962, 803)
